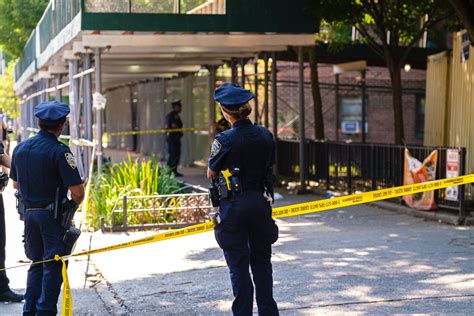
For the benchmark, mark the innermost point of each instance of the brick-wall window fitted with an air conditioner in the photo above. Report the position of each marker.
(351, 116)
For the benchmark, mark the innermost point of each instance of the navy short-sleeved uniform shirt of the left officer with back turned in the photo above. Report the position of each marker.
(41, 165)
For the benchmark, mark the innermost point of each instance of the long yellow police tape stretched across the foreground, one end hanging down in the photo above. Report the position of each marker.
(278, 212)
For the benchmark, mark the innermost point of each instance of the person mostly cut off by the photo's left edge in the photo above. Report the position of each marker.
(6, 294)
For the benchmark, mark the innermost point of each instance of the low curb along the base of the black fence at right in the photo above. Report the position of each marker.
(438, 216)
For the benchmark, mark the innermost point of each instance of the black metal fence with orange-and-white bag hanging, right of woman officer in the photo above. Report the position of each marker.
(355, 167)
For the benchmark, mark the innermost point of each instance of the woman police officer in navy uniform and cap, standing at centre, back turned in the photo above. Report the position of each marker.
(242, 158)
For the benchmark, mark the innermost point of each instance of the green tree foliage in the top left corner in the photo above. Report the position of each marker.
(18, 18)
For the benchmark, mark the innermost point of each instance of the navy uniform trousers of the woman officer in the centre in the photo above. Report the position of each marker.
(246, 234)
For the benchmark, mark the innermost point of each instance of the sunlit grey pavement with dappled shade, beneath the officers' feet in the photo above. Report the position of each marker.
(361, 260)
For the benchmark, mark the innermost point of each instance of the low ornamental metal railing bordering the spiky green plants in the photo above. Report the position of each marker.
(159, 211)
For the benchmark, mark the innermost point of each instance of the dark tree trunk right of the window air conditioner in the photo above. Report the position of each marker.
(396, 79)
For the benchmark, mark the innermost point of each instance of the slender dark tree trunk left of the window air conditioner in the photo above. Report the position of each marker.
(316, 92)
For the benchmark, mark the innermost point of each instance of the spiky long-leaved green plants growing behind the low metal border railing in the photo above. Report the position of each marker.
(131, 178)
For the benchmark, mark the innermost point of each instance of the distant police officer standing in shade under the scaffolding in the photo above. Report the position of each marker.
(173, 139)
